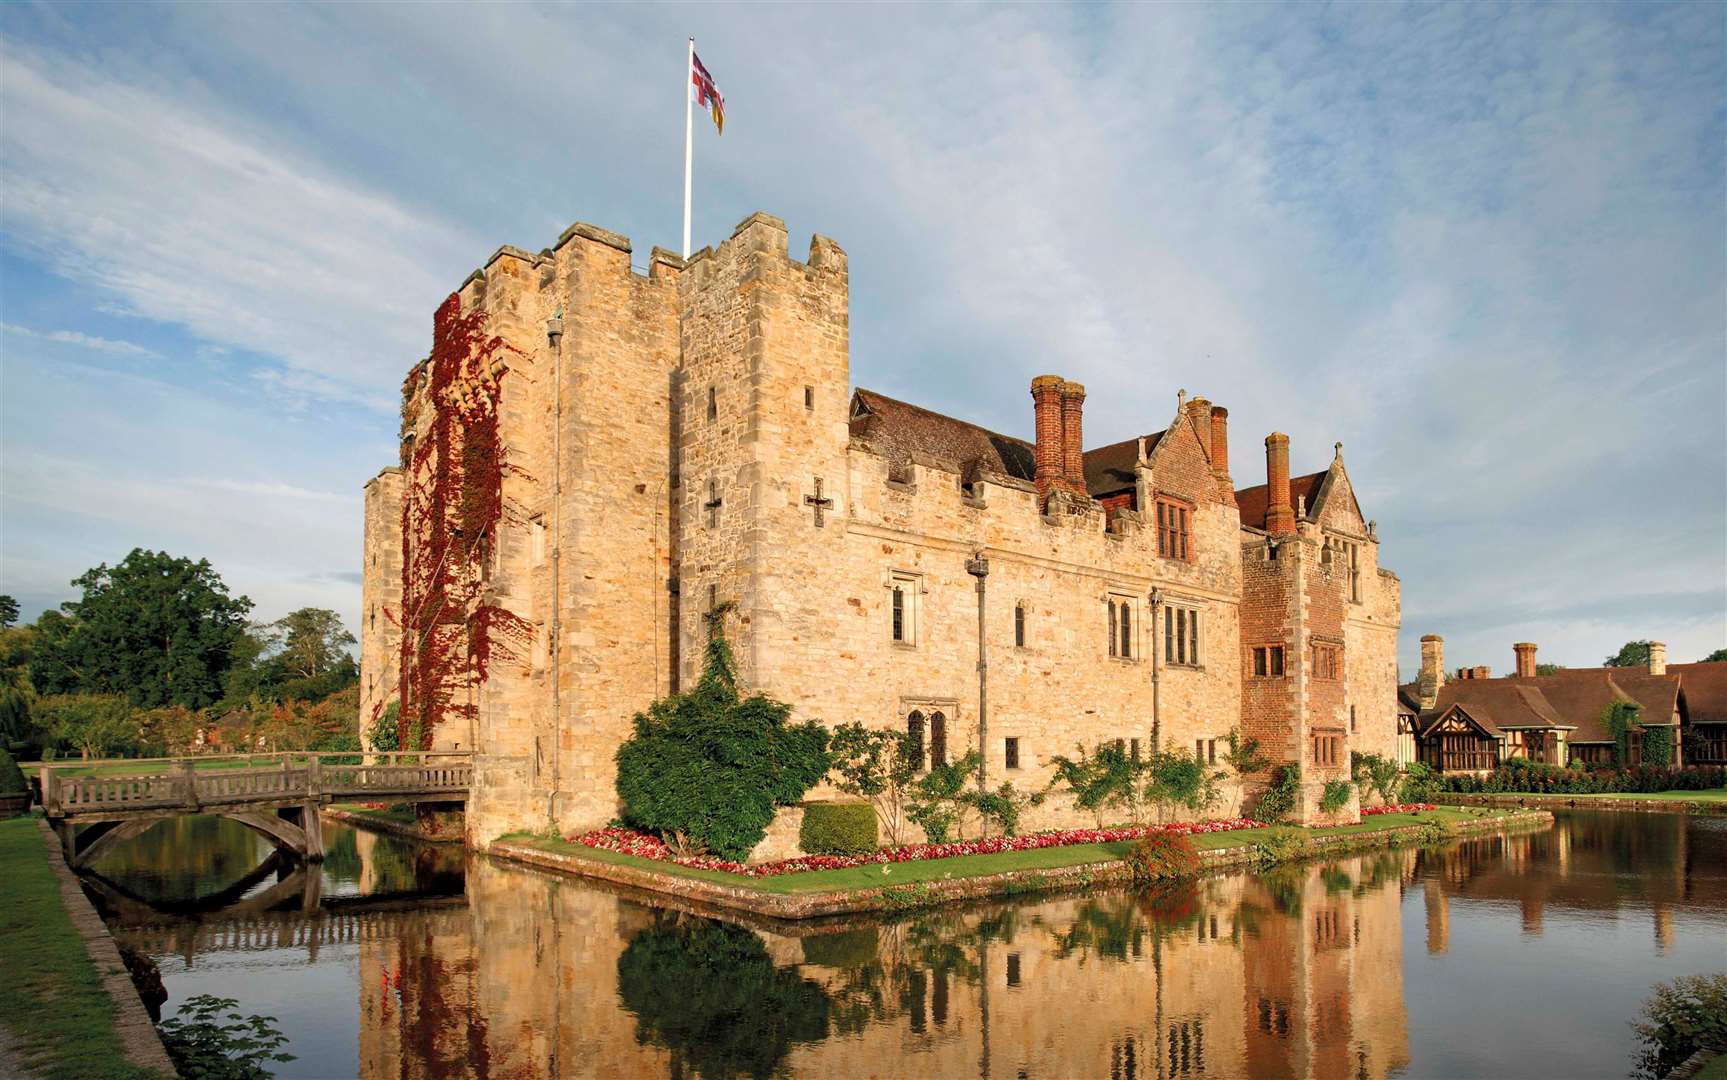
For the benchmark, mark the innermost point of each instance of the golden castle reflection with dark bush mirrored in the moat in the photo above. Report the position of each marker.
(1298, 972)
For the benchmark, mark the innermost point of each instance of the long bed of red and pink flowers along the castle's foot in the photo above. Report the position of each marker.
(629, 842)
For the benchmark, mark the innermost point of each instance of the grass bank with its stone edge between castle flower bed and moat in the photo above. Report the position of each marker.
(887, 886)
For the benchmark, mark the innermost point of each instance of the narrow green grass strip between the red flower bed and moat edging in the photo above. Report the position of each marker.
(878, 875)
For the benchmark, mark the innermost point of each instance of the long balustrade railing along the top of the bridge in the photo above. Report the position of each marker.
(191, 784)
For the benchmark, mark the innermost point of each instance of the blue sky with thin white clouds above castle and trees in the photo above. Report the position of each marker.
(1486, 248)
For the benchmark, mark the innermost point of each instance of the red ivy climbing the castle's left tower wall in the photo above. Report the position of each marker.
(452, 507)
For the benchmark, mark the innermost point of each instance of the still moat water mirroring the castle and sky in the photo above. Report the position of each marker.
(1522, 956)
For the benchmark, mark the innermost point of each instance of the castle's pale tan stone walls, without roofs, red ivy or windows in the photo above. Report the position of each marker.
(680, 440)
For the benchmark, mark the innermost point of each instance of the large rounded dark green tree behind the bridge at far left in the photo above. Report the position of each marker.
(160, 630)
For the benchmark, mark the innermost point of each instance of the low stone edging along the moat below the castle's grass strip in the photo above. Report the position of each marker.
(927, 894)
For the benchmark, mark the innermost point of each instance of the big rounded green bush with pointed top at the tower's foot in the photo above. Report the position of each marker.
(707, 768)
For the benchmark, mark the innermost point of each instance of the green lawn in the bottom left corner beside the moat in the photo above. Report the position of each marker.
(51, 998)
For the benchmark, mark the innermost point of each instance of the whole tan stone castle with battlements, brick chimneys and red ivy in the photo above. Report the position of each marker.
(621, 454)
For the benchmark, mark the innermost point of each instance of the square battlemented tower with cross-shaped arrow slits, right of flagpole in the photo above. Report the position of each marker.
(762, 450)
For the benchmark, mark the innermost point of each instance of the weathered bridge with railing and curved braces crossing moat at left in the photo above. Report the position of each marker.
(92, 813)
